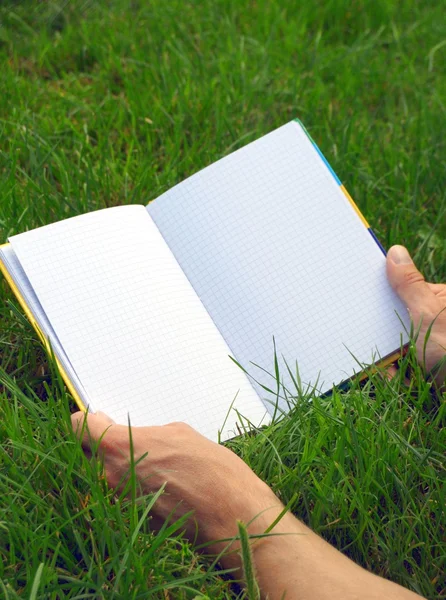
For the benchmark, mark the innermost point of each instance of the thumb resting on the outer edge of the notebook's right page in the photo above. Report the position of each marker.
(406, 279)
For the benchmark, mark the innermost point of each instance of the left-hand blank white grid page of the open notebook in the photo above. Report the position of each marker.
(134, 330)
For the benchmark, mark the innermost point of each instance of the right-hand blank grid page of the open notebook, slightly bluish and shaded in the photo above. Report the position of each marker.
(273, 248)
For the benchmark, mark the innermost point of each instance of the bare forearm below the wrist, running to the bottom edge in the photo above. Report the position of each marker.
(296, 564)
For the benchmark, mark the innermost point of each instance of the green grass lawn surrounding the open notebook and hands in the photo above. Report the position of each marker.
(113, 102)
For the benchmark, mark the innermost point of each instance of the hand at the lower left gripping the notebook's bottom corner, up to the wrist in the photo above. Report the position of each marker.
(201, 477)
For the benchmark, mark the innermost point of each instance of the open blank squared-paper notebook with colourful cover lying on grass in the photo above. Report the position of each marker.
(143, 306)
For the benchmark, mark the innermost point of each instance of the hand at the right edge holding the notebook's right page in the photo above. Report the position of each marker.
(426, 303)
